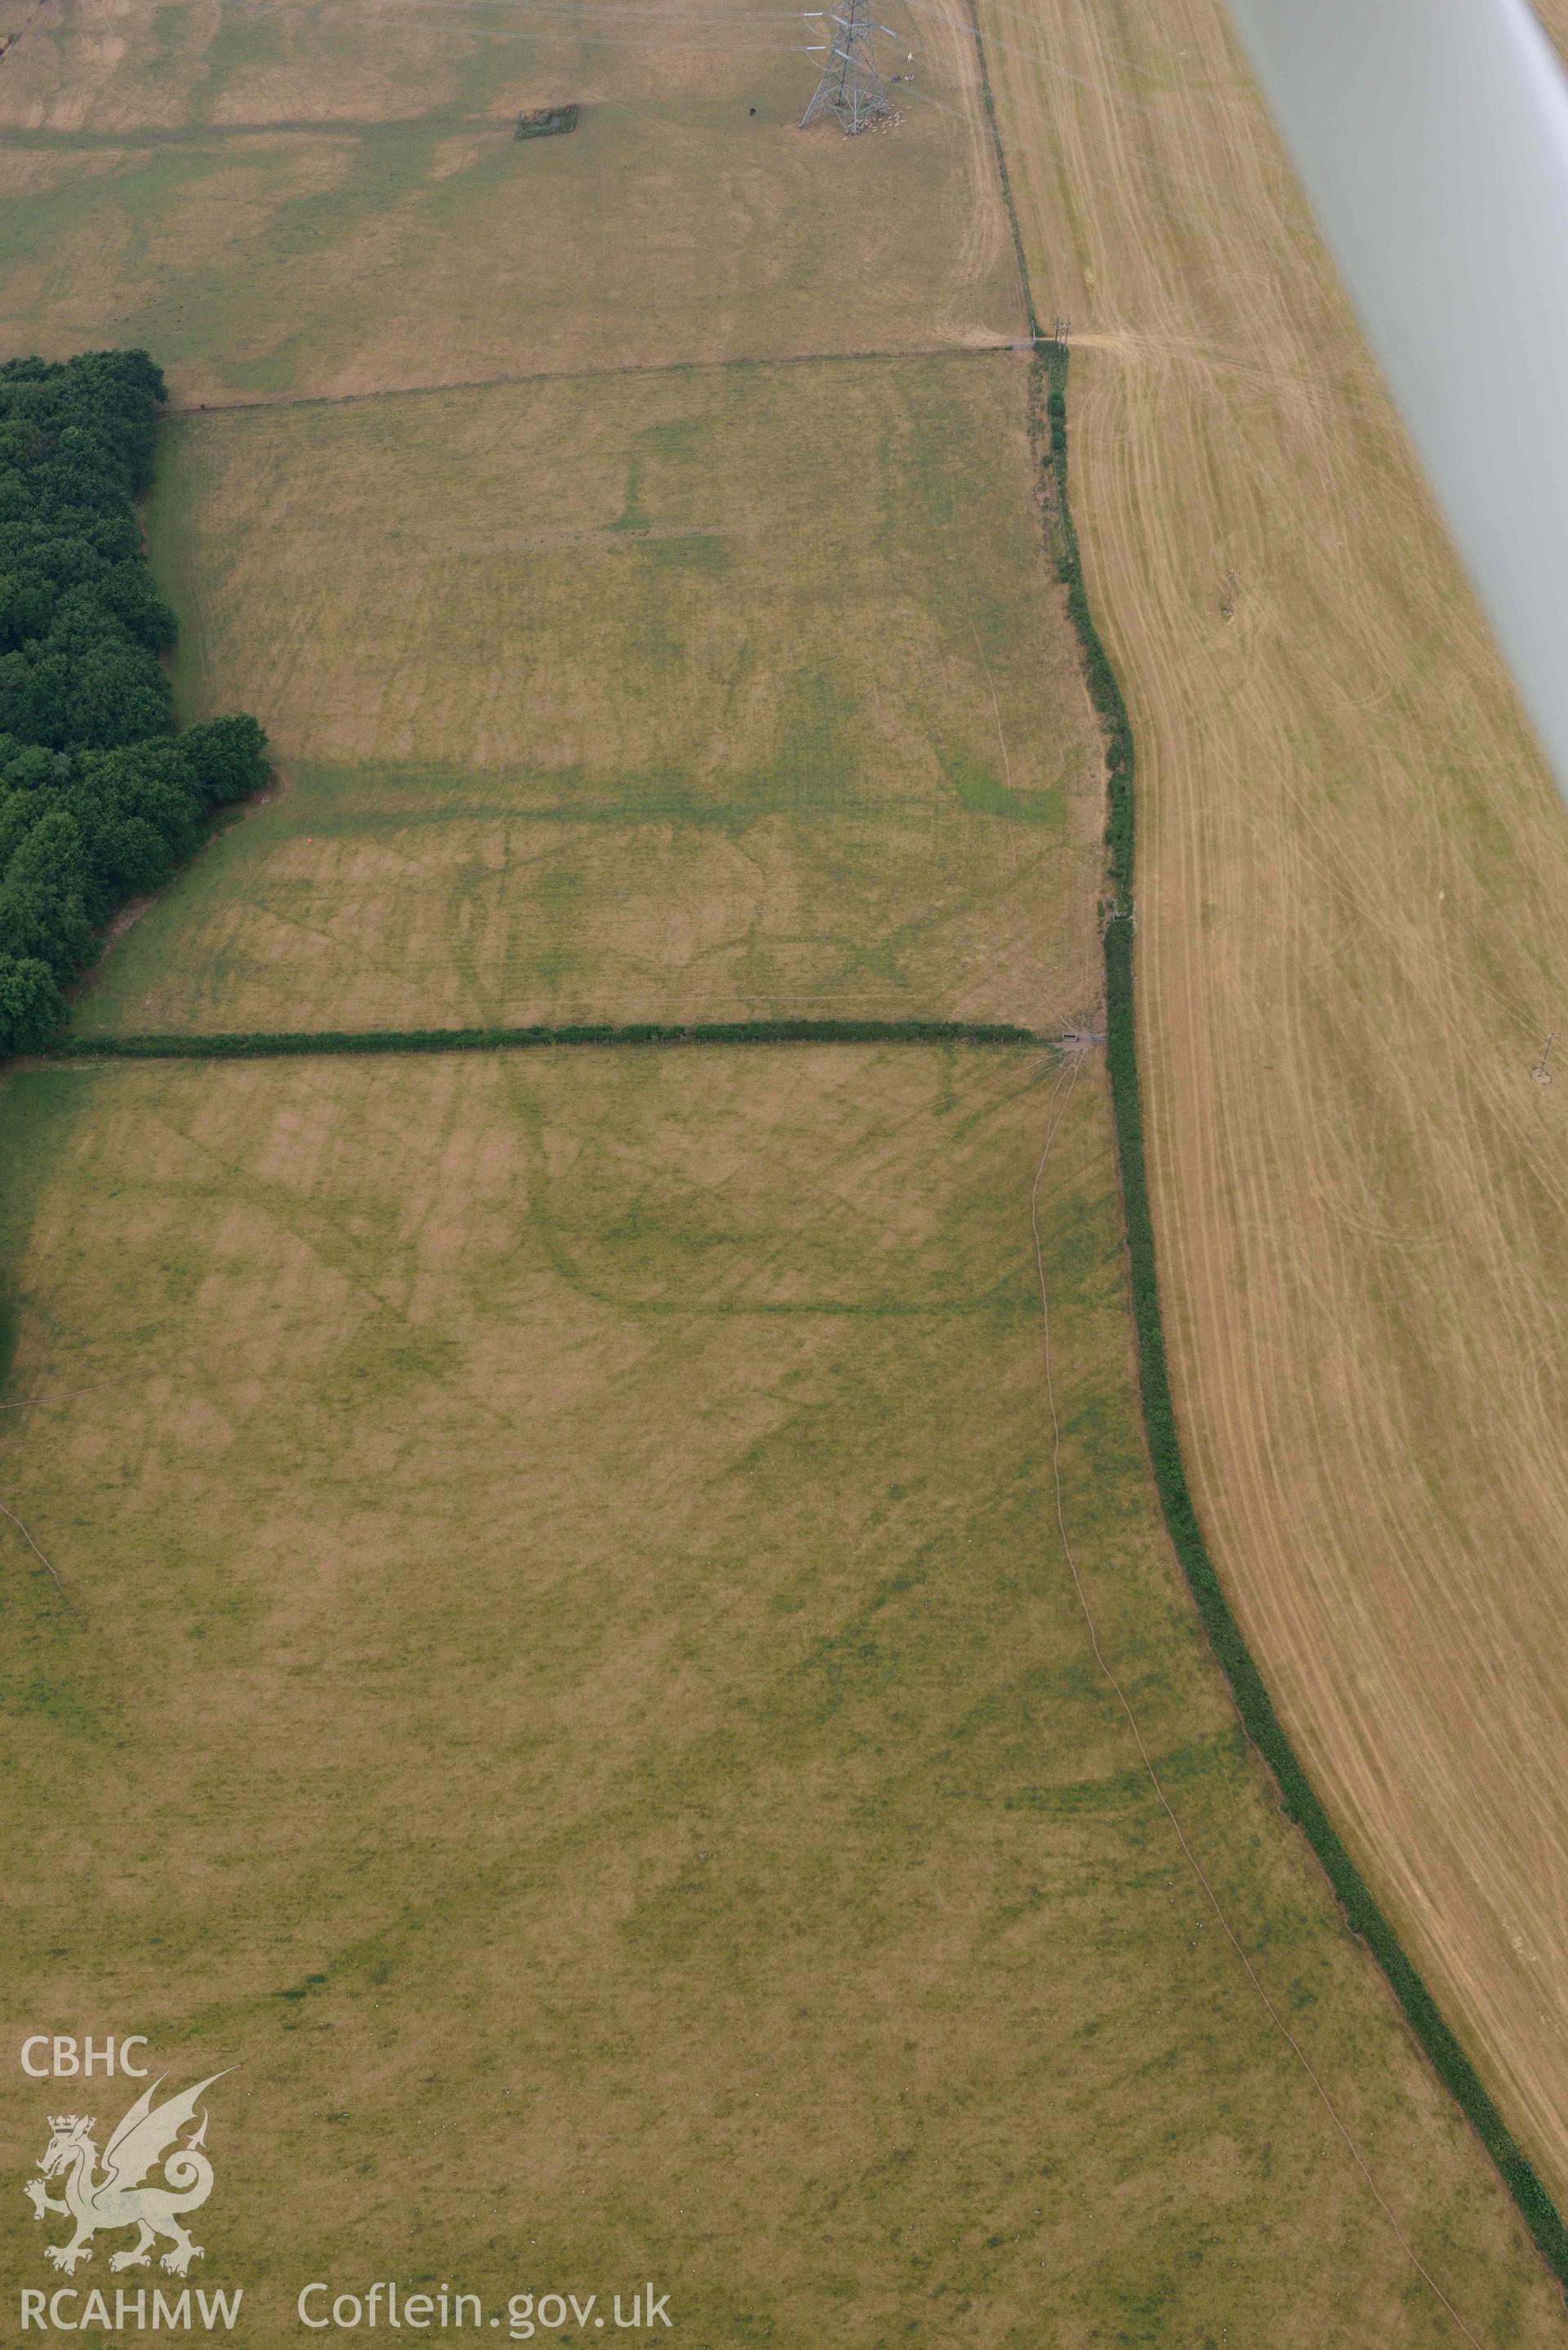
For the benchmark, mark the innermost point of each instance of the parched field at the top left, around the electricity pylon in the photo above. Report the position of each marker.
(328, 199)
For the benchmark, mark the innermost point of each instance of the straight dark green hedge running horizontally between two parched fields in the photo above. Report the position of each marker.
(286, 1045)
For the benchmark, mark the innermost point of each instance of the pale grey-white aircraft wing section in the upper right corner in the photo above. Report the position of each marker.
(1433, 142)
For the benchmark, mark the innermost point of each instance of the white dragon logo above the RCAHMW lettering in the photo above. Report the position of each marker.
(119, 2198)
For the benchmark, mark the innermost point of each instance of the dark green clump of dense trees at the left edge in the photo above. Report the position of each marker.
(100, 795)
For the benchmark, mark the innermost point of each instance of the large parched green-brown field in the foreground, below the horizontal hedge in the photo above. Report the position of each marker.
(582, 1698)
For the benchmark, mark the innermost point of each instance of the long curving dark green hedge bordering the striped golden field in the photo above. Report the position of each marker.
(1249, 1691)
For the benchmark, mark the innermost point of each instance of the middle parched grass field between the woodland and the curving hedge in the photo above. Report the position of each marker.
(690, 697)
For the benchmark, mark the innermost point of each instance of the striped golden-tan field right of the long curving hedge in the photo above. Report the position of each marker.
(1353, 944)
